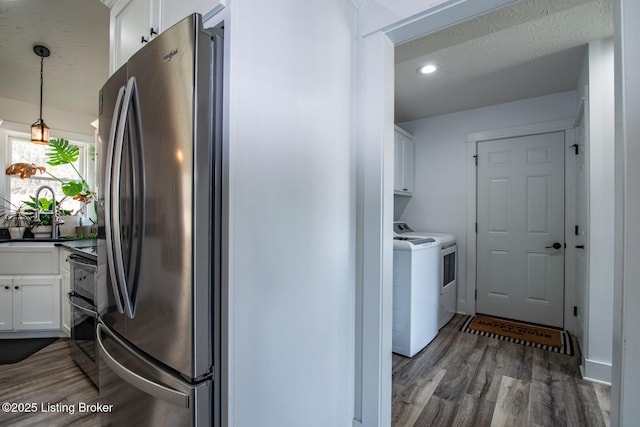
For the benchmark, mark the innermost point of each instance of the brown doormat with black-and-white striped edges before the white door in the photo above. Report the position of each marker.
(556, 340)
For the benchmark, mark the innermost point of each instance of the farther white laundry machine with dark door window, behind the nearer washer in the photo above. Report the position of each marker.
(447, 268)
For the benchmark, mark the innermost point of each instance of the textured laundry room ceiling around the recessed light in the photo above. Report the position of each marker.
(532, 48)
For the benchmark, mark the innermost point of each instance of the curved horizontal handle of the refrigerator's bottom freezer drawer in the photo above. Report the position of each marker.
(152, 388)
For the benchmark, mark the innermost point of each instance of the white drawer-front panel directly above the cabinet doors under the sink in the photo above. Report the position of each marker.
(31, 259)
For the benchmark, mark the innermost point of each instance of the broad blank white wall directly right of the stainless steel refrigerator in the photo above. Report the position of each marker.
(291, 212)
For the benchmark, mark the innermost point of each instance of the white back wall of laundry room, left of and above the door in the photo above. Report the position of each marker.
(442, 167)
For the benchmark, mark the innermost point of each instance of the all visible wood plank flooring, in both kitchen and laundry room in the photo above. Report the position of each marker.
(459, 379)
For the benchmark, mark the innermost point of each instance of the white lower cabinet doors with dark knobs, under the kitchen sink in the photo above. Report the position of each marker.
(34, 303)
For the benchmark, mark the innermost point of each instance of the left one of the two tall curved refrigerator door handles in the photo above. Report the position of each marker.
(109, 177)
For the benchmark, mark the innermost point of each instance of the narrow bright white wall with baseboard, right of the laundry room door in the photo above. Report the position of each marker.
(601, 191)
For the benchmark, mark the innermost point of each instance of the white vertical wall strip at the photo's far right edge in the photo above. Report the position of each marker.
(625, 410)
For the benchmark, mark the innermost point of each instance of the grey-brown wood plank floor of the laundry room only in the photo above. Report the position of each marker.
(461, 379)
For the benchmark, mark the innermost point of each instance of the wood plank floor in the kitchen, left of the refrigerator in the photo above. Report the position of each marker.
(47, 377)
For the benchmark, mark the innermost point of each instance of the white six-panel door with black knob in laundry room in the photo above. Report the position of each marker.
(520, 217)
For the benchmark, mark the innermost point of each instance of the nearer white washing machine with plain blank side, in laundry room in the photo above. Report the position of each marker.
(415, 293)
